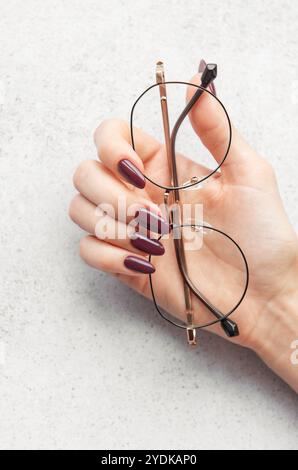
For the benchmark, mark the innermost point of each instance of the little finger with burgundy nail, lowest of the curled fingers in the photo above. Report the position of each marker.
(111, 259)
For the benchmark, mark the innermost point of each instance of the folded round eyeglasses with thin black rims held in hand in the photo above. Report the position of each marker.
(212, 256)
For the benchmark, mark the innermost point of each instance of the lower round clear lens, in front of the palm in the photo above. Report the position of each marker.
(216, 276)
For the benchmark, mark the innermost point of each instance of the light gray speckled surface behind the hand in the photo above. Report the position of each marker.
(86, 363)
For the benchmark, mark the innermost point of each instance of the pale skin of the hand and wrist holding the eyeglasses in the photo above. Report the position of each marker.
(243, 200)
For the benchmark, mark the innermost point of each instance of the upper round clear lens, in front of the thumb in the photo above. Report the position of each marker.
(193, 160)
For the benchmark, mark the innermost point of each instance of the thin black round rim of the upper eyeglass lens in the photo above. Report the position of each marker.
(197, 182)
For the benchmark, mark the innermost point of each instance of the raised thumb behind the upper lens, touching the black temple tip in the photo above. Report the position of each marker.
(210, 124)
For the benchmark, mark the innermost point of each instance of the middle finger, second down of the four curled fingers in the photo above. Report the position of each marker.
(97, 184)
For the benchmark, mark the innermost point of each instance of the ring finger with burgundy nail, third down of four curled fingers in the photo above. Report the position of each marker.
(92, 220)
